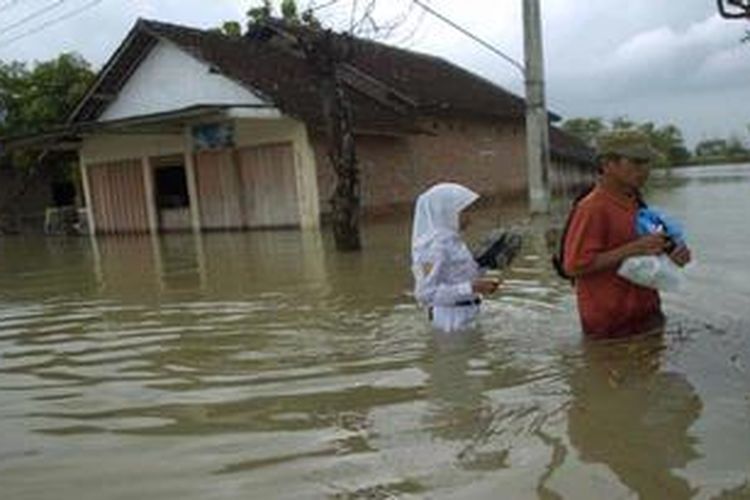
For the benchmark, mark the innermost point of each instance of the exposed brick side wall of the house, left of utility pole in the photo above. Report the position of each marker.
(487, 156)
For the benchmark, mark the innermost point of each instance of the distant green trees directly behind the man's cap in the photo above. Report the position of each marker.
(667, 139)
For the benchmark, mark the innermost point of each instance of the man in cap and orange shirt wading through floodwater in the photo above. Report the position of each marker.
(602, 234)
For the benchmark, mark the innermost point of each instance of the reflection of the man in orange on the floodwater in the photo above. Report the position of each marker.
(628, 413)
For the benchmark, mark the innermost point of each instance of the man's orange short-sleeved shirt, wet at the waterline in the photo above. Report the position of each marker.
(609, 305)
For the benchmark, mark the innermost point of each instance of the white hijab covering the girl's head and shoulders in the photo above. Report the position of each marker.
(436, 215)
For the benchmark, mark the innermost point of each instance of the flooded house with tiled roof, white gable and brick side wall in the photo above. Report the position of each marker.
(185, 128)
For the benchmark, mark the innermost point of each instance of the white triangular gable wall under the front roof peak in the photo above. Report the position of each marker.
(170, 79)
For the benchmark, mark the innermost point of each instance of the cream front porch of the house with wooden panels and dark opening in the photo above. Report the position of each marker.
(208, 168)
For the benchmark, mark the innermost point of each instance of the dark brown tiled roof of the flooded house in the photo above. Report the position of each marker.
(431, 84)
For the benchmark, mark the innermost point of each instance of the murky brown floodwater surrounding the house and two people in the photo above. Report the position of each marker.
(264, 365)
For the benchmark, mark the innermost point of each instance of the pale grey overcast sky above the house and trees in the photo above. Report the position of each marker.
(667, 61)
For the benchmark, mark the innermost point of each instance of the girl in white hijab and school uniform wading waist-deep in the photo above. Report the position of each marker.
(447, 279)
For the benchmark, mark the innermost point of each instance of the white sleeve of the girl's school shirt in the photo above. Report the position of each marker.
(432, 288)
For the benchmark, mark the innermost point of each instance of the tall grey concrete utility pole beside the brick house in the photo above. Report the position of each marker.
(537, 126)
